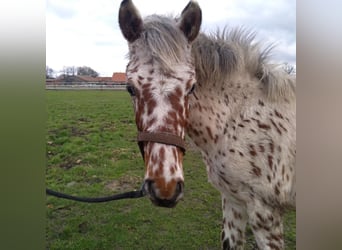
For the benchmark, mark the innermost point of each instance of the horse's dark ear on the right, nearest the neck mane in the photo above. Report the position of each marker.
(190, 20)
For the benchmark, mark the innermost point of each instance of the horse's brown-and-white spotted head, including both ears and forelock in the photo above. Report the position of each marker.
(161, 76)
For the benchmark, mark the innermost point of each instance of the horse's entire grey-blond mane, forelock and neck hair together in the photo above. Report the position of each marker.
(218, 57)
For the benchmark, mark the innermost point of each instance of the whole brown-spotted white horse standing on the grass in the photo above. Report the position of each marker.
(239, 109)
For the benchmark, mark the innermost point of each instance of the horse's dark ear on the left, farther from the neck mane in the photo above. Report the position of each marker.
(130, 21)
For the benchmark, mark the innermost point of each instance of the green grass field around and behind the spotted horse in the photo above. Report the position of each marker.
(91, 151)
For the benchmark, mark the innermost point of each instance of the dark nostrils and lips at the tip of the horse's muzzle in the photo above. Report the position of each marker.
(158, 199)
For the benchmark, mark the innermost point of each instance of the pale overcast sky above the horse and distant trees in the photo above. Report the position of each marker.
(86, 33)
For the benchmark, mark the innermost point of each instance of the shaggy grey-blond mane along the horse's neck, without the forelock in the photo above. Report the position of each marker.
(220, 56)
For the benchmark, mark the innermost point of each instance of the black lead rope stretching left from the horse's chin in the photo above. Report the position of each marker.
(128, 195)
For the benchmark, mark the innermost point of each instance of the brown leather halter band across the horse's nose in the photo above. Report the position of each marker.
(159, 137)
